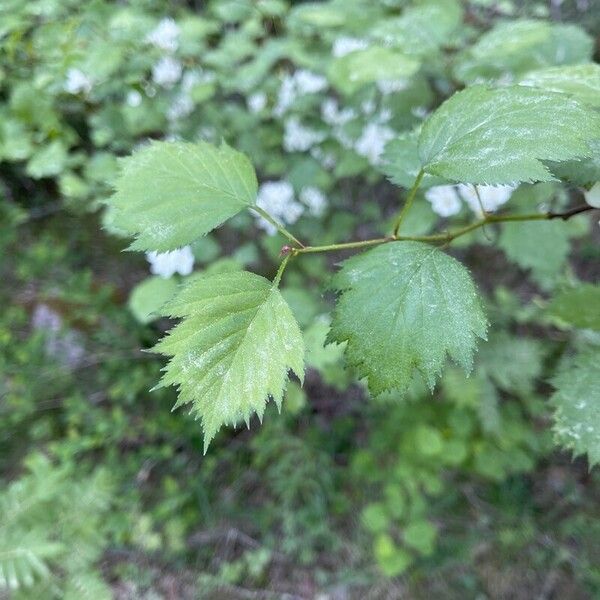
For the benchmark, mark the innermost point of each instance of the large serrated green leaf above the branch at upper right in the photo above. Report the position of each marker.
(500, 136)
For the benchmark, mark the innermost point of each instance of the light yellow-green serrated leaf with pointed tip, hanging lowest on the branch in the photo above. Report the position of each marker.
(233, 349)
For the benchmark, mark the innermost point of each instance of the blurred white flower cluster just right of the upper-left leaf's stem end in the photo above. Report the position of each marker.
(278, 199)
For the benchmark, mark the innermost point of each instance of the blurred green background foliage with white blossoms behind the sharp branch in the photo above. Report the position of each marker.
(452, 494)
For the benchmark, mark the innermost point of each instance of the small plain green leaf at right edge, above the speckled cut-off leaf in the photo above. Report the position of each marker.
(579, 307)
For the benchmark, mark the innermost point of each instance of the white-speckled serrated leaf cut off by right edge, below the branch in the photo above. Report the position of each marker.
(577, 403)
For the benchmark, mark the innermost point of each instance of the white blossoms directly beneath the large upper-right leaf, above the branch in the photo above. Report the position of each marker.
(446, 199)
